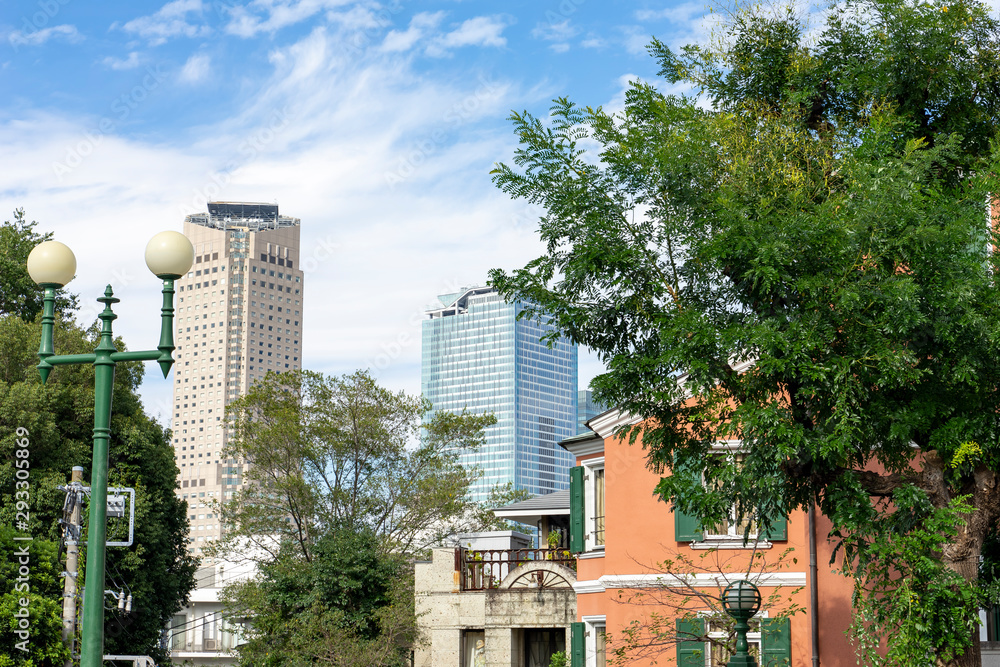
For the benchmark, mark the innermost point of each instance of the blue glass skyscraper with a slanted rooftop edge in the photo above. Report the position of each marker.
(478, 355)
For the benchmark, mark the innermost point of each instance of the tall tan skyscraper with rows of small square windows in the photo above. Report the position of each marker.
(239, 315)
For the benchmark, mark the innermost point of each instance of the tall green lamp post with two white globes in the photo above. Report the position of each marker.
(51, 264)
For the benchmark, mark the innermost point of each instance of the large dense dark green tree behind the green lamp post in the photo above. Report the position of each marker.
(58, 417)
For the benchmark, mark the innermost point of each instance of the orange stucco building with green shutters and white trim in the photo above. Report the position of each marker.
(628, 533)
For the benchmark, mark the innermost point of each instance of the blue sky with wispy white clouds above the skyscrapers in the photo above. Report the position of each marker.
(375, 123)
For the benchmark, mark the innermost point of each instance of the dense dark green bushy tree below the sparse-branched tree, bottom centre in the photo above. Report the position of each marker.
(351, 605)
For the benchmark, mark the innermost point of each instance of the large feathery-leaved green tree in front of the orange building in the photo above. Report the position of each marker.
(803, 266)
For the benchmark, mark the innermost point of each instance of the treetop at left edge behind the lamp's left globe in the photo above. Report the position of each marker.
(19, 295)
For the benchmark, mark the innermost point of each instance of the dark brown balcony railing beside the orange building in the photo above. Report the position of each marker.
(484, 569)
